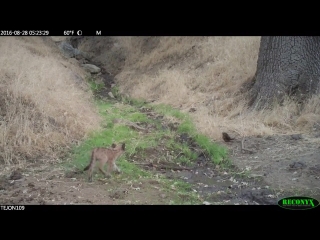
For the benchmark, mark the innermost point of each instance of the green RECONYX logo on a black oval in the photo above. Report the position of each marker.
(298, 203)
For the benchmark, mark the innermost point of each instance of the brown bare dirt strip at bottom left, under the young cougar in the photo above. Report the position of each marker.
(49, 184)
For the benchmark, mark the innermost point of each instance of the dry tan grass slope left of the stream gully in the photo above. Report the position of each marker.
(42, 106)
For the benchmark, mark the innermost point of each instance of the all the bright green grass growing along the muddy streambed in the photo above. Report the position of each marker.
(137, 143)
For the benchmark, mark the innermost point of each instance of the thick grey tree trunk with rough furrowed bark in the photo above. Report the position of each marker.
(287, 66)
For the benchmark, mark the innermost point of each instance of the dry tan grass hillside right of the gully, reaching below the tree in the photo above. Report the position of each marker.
(206, 73)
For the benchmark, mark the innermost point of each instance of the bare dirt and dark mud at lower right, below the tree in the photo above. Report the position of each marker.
(278, 166)
